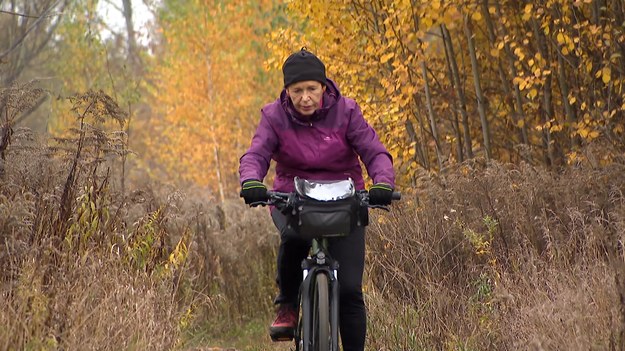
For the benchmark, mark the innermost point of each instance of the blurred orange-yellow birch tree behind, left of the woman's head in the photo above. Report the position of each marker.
(210, 86)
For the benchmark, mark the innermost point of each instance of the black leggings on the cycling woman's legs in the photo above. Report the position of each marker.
(350, 252)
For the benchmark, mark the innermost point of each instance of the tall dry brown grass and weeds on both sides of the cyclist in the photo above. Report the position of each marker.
(498, 258)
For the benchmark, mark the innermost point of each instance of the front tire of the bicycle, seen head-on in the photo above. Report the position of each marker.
(321, 314)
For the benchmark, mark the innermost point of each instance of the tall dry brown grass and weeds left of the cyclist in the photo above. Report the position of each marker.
(87, 267)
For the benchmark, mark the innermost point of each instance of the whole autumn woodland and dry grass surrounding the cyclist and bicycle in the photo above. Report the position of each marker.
(120, 221)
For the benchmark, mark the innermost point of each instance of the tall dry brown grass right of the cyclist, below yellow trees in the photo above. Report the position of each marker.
(504, 258)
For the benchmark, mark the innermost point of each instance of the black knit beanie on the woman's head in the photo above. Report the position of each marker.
(303, 65)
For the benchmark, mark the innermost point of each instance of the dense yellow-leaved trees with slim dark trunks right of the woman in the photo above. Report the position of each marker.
(445, 80)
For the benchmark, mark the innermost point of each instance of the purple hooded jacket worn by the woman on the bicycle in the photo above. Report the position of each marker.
(325, 146)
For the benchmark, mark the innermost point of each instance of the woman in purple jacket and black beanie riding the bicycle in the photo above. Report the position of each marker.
(313, 132)
